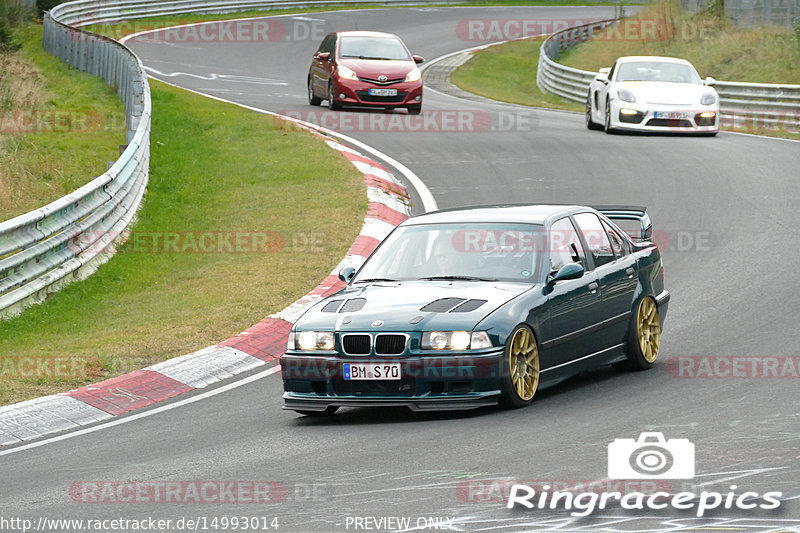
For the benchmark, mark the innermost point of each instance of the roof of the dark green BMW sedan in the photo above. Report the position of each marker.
(519, 213)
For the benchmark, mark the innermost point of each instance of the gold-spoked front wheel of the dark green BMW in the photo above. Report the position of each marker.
(520, 369)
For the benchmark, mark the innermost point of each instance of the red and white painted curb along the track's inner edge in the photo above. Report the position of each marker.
(257, 346)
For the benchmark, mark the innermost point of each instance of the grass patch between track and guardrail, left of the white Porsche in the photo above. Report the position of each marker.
(507, 73)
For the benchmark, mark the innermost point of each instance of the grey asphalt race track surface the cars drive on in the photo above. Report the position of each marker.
(729, 208)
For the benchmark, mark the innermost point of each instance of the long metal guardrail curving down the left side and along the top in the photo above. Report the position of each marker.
(68, 239)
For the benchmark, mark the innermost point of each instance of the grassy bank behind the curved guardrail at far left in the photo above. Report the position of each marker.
(58, 127)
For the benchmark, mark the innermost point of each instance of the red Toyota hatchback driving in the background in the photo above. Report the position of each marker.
(365, 68)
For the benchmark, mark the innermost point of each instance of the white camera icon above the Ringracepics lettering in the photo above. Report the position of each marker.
(651, 457)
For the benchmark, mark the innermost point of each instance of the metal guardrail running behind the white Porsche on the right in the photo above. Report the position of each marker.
(762, 105)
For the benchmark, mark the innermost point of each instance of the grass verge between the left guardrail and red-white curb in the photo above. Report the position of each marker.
(217, 172)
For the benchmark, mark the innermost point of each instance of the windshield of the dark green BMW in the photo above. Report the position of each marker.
(476, 252)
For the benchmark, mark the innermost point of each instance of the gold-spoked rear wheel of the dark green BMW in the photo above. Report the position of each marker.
(644, 337)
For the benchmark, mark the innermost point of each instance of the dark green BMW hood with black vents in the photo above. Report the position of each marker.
(410, 306)
